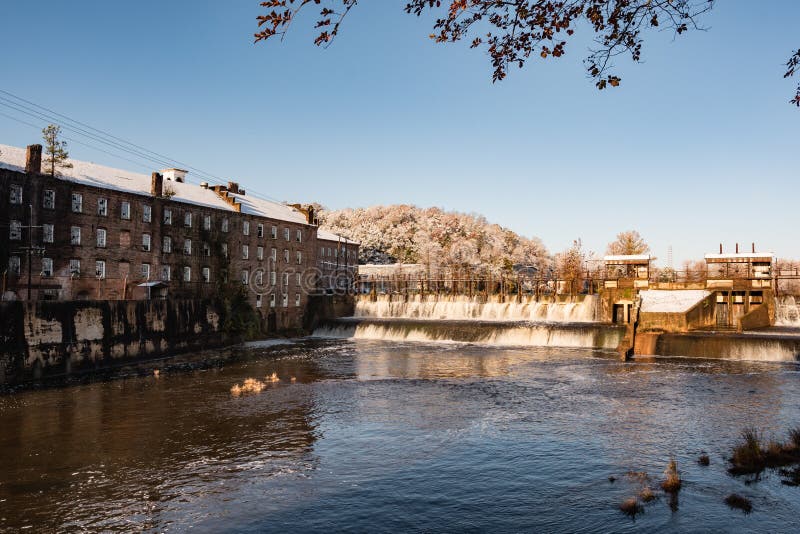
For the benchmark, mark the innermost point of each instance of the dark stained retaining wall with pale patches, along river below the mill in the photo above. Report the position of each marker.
(50, 338)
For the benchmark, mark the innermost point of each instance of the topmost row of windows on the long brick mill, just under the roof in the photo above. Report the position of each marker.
(49, 202)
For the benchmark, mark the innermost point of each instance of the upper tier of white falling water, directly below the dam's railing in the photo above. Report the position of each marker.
(462, 307)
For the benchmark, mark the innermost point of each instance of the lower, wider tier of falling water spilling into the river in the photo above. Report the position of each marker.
(593, 336)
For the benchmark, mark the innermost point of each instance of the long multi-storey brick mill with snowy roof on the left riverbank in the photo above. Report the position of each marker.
(101, 233)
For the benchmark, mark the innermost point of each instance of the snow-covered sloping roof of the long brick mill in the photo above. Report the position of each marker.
(88, 173)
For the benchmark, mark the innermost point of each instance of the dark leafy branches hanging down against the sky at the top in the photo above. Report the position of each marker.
(512, 31)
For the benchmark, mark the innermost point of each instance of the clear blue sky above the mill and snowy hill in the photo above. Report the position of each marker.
(697, 146)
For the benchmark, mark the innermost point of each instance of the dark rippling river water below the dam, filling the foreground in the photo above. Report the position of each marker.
(396, 436)
